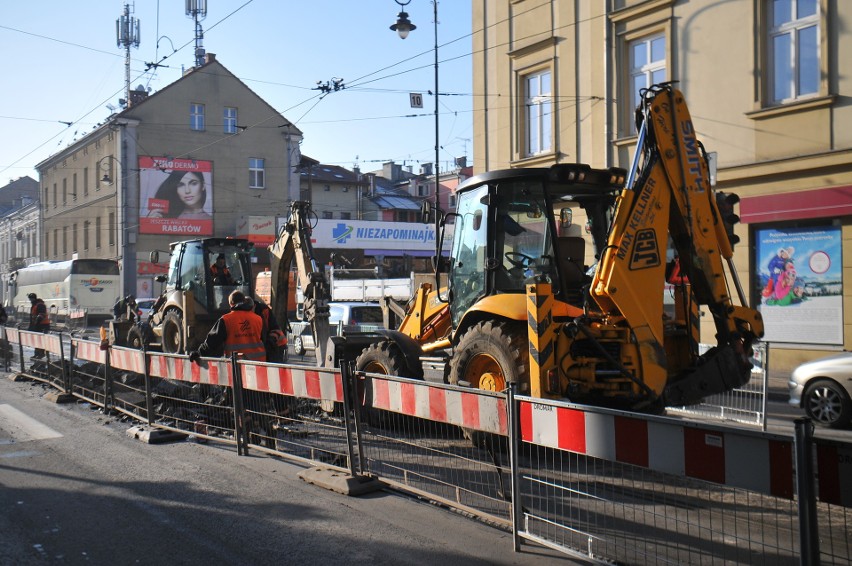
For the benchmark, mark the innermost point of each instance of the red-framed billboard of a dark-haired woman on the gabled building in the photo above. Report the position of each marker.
(176, 196)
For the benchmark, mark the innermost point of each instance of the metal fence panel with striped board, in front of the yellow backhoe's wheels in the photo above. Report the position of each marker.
(437, 440)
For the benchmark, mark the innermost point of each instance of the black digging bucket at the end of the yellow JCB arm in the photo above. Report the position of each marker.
(719, 370)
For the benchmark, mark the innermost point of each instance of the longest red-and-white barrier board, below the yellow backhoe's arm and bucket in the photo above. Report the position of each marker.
(753, 461)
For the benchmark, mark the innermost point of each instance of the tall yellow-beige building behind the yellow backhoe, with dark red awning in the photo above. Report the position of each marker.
(768, 87)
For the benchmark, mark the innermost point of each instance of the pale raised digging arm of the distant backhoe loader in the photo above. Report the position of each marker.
(294, 242)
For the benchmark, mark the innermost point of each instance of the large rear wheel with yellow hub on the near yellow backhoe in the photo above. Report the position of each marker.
(491, 355)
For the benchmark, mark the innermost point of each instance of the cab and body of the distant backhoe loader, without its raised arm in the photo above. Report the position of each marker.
(192, 300)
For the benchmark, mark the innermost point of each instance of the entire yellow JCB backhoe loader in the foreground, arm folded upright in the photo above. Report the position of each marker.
(556, 276)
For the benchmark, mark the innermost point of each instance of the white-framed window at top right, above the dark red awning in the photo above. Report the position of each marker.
(793, 49)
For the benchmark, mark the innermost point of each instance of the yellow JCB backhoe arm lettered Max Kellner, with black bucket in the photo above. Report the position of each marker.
(669, 198)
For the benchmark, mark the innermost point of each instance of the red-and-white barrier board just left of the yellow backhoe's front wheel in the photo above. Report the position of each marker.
(302, 383)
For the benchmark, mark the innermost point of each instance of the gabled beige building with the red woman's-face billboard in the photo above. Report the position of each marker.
(115, 192)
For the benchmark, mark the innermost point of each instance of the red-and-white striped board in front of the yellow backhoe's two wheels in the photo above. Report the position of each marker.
(474, 409)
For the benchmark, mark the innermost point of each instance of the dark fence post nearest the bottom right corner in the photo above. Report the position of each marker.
(808, 527)
